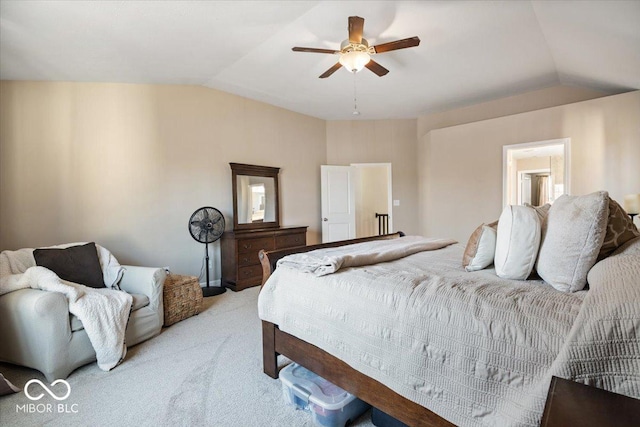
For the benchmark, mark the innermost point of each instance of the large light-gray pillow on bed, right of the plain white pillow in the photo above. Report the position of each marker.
(575, 230)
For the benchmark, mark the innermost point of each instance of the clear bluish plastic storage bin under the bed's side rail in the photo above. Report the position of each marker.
(329, 405)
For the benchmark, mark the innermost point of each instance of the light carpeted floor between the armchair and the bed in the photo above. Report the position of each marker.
(205, 370)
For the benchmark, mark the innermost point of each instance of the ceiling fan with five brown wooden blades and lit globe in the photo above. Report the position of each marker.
(355, 52)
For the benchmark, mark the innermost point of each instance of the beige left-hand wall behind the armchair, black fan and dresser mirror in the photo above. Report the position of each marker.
(126, 165)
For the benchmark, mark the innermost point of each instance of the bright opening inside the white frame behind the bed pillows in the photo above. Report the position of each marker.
(536, 172)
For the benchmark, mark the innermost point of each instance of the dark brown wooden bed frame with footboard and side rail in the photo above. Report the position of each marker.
(275, 342)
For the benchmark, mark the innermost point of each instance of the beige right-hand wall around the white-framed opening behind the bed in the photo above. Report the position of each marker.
(463, 184)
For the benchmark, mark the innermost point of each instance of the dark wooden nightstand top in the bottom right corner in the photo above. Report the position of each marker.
(574, 404)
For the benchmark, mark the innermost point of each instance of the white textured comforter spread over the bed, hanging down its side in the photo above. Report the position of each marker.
(471, 347)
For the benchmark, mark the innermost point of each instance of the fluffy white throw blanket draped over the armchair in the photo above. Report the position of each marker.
(104, 313)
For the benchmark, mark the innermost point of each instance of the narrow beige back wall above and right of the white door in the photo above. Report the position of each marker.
(382, 141)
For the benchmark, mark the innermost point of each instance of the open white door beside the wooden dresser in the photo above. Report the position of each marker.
(338, 203)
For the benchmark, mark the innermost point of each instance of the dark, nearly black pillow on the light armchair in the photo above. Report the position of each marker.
(77, 264)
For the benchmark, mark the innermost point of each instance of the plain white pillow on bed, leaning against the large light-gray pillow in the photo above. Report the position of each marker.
(517, 243)
